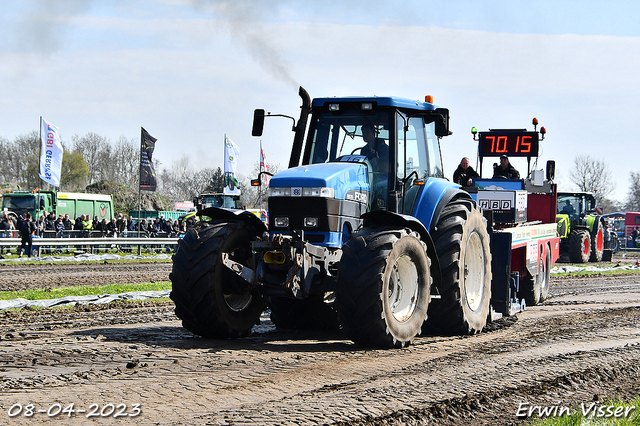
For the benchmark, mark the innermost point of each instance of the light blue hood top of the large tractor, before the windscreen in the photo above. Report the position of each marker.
(343, 177)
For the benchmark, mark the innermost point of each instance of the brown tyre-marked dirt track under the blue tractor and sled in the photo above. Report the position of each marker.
(134, 364)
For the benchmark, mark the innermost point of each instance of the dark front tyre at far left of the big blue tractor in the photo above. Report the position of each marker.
(210, 299)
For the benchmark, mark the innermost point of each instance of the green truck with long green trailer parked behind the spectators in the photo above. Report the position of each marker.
(74, 204)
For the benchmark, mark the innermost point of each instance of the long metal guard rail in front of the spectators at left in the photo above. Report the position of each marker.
(91, 242)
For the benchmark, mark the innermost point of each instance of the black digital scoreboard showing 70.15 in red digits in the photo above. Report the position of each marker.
(508, 142)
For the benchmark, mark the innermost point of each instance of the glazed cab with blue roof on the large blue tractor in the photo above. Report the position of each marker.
(395, 138)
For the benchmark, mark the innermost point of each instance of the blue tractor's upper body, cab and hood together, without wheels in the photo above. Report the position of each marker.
(361, 155)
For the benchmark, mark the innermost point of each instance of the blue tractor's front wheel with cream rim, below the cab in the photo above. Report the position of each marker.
(383, 287)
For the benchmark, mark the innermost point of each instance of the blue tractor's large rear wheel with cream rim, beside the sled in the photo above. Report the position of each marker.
(462, 244)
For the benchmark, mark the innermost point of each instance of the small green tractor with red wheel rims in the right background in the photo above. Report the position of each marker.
(580, 227)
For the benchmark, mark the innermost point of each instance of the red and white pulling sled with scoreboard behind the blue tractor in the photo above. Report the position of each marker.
(521, 211)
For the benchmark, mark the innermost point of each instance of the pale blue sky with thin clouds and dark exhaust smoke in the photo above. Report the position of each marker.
(192, 71)
